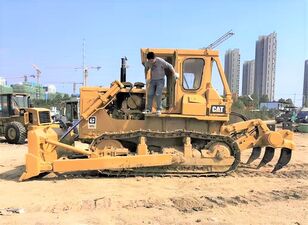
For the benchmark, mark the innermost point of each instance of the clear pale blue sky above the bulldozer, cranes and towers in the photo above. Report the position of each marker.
(50, 33)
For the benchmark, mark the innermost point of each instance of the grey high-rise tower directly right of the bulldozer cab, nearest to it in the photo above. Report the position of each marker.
(232, 69)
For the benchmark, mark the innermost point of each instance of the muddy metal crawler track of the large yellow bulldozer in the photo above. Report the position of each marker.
(173, 170)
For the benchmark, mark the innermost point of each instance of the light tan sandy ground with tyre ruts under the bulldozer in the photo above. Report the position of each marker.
(247, 196)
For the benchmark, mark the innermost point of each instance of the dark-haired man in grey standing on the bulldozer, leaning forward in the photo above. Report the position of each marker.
(157, 80)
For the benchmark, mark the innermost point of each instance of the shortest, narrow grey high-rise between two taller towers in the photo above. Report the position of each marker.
(248, 77)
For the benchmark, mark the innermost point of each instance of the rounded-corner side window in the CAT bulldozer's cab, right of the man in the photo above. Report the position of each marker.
(192, 73)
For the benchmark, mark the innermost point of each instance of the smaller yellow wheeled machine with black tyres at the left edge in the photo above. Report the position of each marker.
(16, 116)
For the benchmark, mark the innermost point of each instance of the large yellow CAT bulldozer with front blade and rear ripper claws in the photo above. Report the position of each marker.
(190, 137)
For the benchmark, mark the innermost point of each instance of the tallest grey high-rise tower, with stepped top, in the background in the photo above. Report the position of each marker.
(265, 66)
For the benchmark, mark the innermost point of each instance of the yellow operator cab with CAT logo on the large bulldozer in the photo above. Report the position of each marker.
(193, 94)
